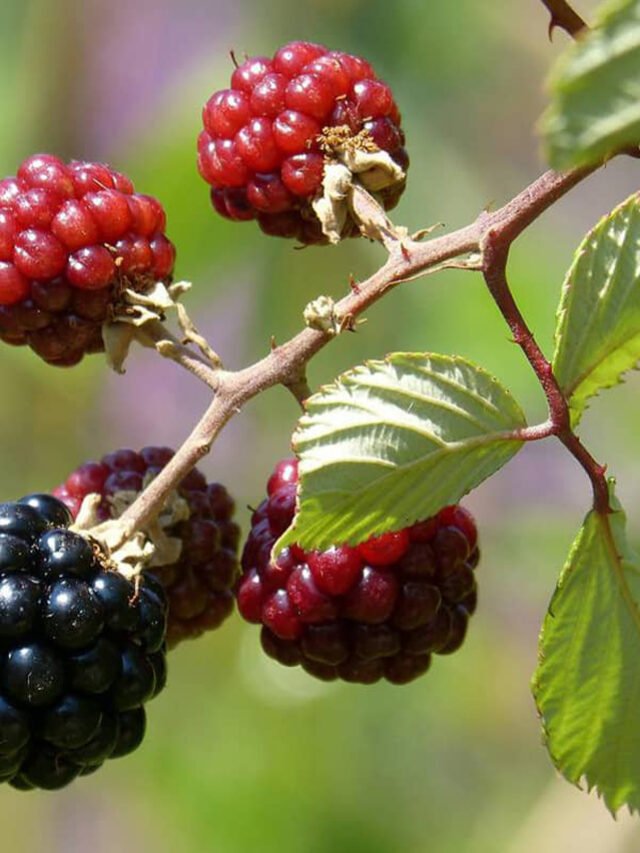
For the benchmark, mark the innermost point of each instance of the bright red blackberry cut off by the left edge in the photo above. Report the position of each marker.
(72, 238)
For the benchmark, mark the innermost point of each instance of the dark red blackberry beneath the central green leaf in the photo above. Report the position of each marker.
(377, 610)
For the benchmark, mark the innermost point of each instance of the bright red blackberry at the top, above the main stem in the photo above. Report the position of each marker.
(267, 139)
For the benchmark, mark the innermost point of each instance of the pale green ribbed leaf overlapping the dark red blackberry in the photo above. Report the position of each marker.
(392, 442)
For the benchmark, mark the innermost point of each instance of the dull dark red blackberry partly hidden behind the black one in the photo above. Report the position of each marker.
(200, 581)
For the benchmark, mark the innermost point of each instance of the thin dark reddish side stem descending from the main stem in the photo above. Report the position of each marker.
(495, 254)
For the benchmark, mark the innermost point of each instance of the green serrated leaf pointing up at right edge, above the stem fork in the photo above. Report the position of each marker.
(598, 330)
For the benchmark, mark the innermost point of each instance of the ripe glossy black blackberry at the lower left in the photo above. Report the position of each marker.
(82, 649)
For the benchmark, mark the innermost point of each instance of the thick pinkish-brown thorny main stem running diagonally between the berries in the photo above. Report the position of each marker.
(285, 364)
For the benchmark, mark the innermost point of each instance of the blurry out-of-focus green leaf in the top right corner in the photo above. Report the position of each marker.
(595, 88)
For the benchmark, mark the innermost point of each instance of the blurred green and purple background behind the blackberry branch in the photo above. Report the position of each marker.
(241, 754)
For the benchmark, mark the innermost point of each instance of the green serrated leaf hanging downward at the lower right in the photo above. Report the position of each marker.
(587, 685)
